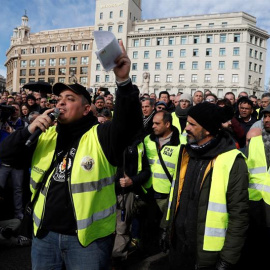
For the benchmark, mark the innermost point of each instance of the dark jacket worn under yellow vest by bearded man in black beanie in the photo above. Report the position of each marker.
(188, 224)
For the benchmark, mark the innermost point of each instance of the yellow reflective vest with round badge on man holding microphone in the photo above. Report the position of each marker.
(91, 185)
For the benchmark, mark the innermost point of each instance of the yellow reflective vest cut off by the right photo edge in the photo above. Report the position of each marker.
(259, 174)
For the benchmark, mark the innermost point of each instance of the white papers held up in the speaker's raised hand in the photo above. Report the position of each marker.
(108, 48)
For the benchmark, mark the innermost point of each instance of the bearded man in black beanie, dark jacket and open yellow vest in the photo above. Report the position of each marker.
(208, 205)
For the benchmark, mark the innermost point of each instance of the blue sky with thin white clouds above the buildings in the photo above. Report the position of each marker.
(54, 14)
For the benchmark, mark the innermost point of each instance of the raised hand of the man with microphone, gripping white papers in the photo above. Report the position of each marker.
(123, 63)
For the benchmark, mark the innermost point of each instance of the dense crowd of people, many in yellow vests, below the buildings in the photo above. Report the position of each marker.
(180, 174)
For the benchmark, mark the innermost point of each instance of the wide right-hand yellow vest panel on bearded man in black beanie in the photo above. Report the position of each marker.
(217, 215)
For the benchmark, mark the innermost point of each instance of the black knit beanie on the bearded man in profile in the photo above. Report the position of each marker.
(208, 115)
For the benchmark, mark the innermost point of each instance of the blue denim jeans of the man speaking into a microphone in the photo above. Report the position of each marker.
(55, 250)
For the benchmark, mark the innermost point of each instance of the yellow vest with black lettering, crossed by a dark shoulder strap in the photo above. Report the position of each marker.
(158, 178)
